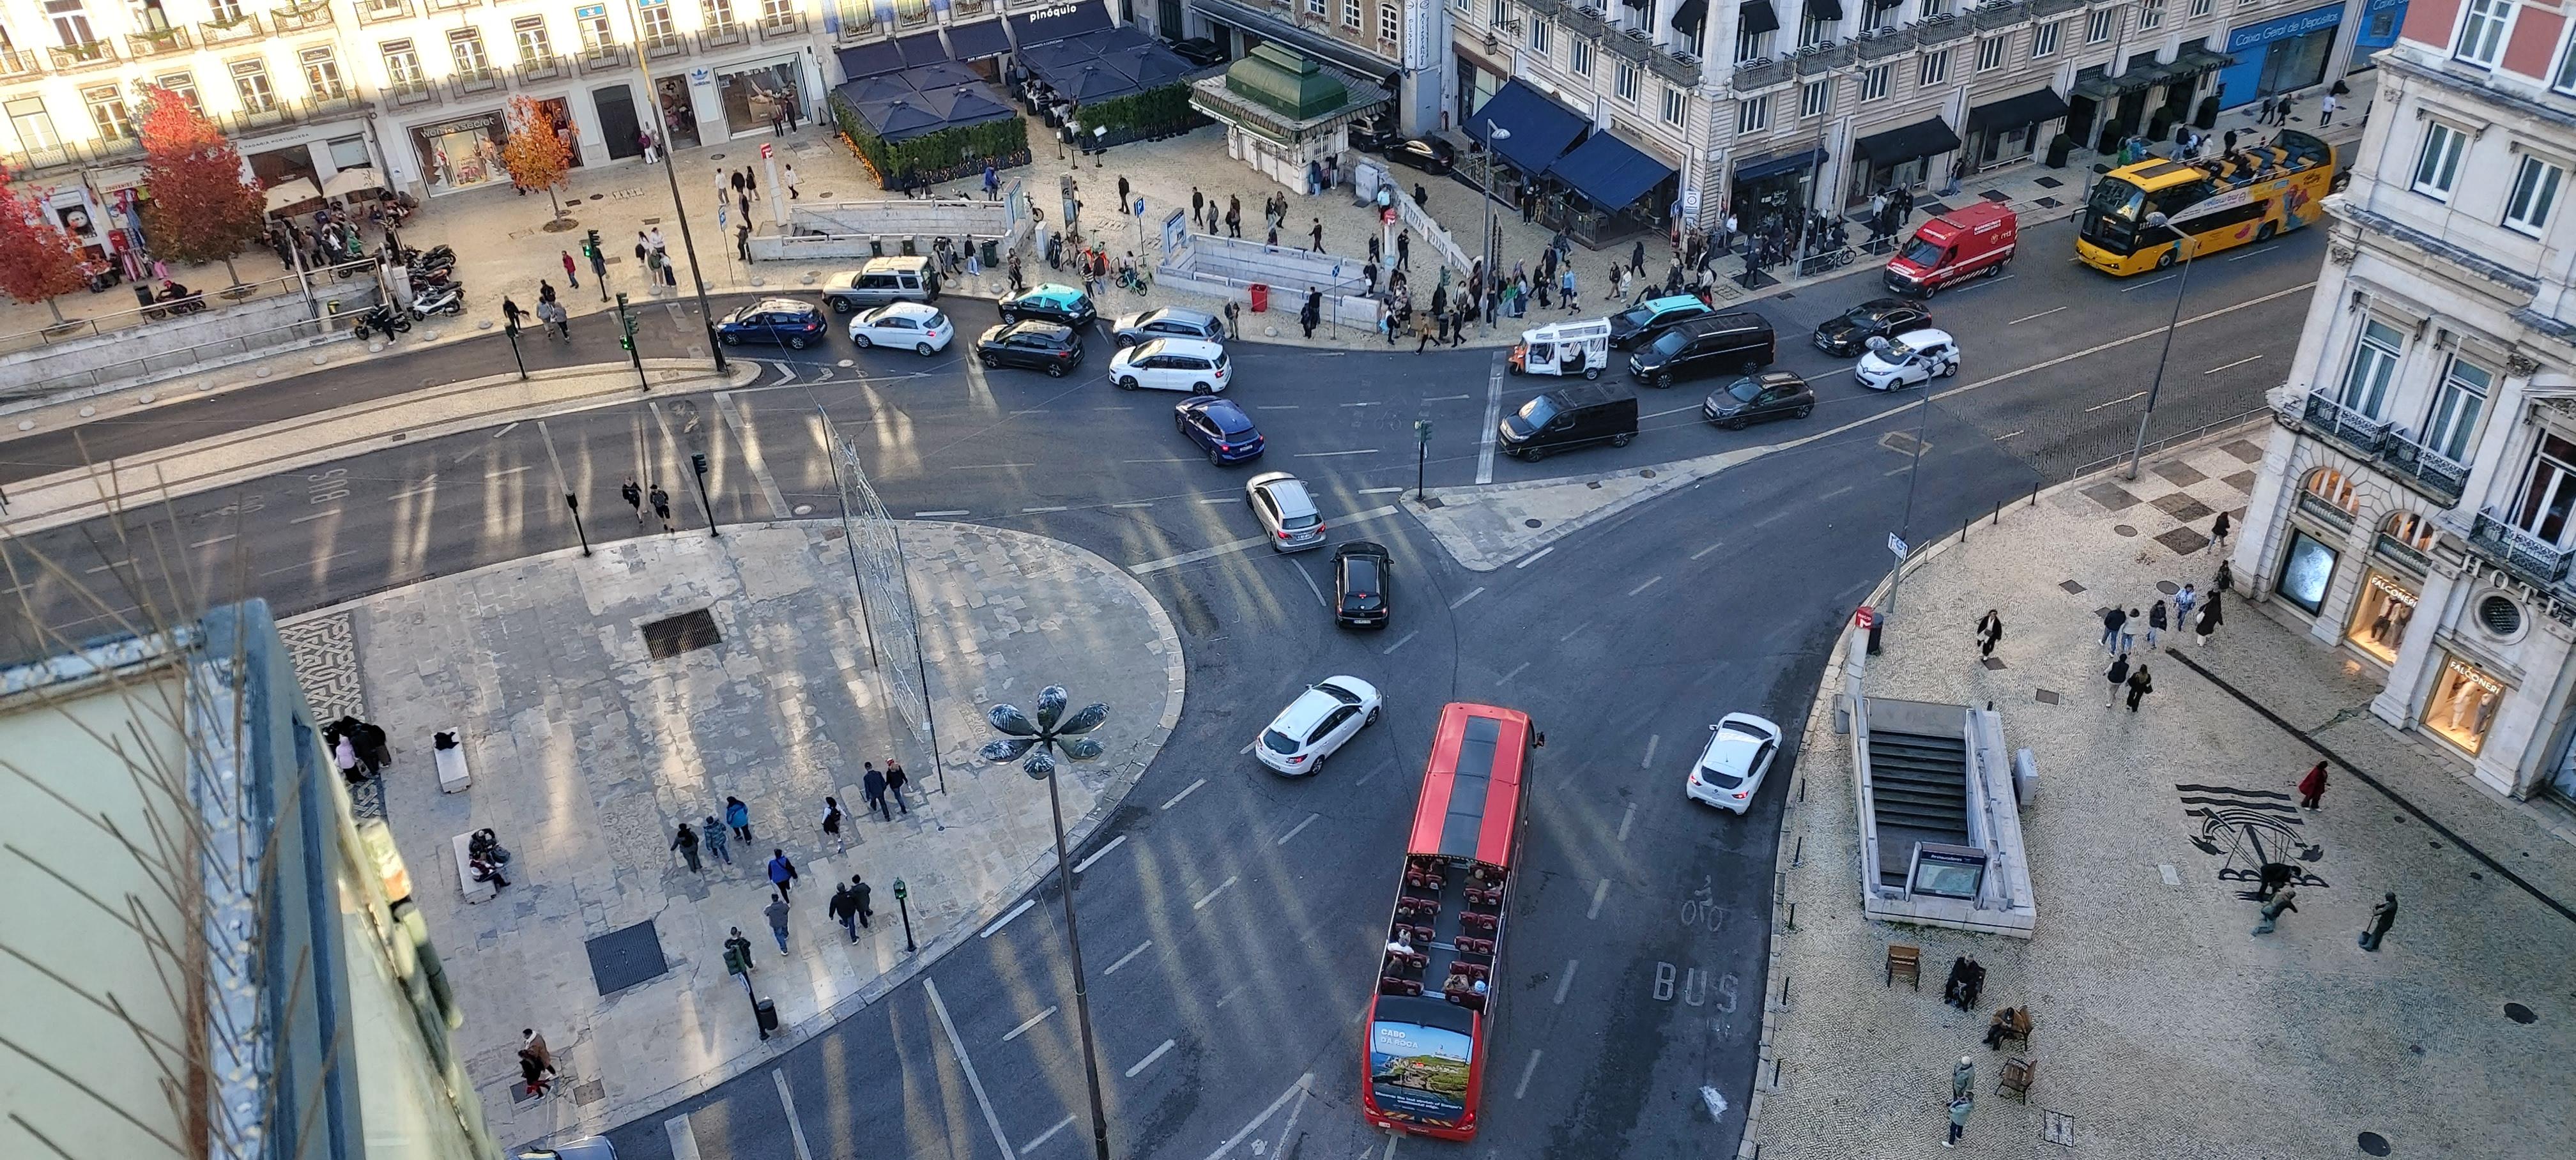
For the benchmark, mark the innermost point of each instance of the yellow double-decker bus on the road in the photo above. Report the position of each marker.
(2214, 205)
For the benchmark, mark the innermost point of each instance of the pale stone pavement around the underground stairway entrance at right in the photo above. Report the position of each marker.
(2165, 1027)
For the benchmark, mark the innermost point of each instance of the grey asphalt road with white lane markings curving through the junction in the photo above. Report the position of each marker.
(1243, 911)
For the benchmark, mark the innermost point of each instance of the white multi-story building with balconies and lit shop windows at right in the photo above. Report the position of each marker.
(2418, 504)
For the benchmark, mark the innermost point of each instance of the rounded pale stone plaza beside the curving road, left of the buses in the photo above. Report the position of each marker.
(589, 751)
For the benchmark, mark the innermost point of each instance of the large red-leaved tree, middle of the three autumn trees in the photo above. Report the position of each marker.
(202, 208)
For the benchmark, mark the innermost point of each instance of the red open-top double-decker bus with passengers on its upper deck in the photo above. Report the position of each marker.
(1441, 965)
